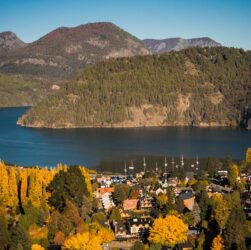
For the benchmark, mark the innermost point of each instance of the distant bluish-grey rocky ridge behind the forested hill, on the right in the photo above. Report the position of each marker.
(170, 44)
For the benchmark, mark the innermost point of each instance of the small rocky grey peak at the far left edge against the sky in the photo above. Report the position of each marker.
(9, 41)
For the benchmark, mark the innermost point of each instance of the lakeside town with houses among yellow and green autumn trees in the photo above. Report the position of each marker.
(157, 208)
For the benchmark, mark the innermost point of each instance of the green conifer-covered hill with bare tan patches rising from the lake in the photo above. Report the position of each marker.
(196, 86)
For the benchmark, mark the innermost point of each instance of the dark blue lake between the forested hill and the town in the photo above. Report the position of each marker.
(93, 147)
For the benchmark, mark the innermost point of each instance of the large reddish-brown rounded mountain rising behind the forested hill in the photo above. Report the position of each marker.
(63, 52)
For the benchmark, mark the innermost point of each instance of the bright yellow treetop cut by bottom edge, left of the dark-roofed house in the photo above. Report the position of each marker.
(84, 241)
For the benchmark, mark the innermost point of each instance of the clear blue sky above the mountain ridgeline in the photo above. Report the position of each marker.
(226, 21)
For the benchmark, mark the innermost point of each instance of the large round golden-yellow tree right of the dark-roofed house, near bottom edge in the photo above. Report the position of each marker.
(168, 231)
